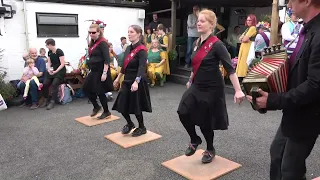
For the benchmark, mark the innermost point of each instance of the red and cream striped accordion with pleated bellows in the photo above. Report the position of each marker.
(270, 74)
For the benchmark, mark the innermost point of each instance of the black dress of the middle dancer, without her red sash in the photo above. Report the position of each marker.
(129, 102)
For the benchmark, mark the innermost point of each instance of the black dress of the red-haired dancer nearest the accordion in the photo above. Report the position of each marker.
(204, 101)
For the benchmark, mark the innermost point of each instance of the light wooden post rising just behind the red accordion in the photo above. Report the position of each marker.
(274, 23)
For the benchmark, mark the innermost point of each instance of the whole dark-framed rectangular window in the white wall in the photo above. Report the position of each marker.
(57, 25)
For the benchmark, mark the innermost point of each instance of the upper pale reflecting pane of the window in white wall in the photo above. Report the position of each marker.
(57, 19)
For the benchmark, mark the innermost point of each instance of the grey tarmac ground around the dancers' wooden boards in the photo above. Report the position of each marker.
(49, 145)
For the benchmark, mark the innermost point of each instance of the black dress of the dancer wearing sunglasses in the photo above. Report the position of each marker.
(93, 84)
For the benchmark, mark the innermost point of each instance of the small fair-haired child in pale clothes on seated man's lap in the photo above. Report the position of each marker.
(30, 72)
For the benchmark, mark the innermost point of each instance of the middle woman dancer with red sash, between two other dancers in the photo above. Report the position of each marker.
(133, 97)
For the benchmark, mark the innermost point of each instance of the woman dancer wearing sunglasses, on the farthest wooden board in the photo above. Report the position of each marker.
(98, 82)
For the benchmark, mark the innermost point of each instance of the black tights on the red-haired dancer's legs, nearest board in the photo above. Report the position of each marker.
(195, 139)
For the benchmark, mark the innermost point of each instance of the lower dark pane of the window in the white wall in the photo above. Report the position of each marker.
(57, 31)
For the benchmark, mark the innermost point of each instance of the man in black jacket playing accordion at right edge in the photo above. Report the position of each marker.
(300, 125)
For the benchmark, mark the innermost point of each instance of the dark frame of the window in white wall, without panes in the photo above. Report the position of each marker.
(56, 24)
